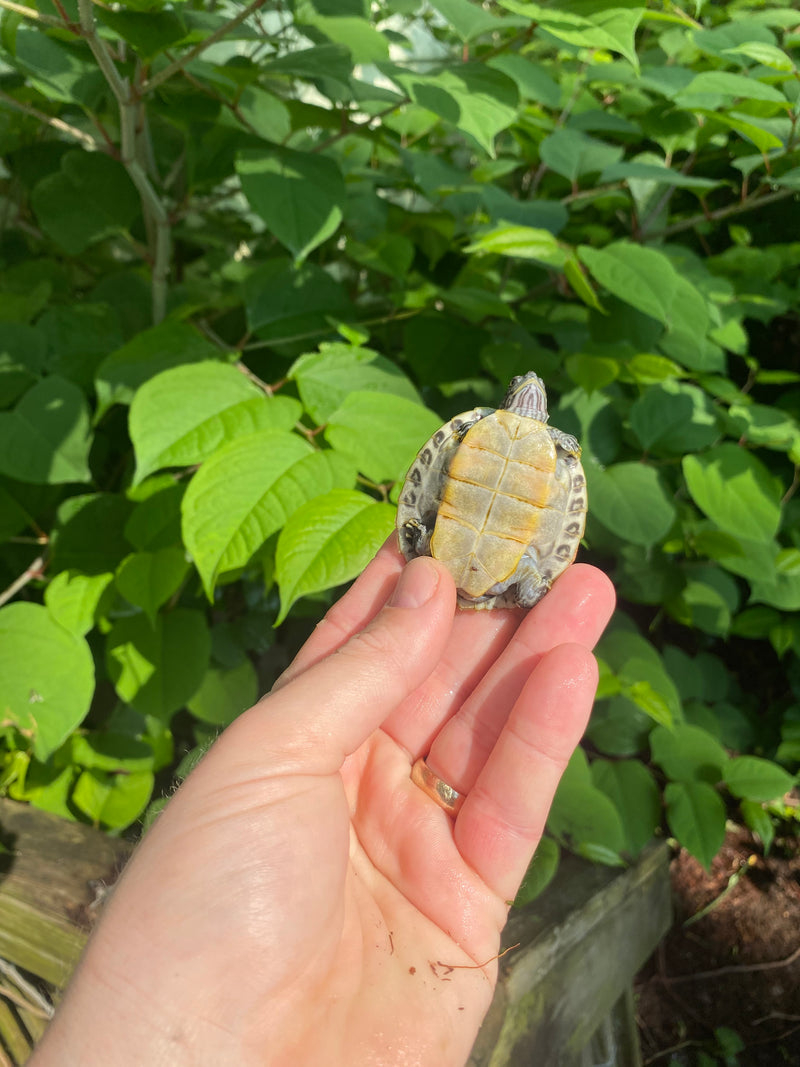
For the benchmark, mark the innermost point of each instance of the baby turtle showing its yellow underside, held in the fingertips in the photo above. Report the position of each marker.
(500, 499)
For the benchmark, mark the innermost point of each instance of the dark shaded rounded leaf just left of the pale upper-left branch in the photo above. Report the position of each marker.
(90, 199)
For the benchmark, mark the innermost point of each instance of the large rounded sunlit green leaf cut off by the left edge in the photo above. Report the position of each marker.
(47, 677)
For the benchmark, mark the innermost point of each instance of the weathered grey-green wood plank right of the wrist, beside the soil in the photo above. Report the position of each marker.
(581, 945)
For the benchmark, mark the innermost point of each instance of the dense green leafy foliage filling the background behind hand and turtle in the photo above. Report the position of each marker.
(251, 259)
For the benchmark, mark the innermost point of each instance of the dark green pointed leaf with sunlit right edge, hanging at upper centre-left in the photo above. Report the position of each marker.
(300, 197)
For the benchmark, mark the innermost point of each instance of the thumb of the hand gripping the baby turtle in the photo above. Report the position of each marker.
(315, 722)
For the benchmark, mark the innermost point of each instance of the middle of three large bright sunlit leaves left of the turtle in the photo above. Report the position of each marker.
(247, 491)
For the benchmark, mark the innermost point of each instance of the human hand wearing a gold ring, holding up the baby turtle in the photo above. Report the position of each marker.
(301, 901)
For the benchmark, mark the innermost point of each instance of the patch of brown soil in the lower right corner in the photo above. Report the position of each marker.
(739, 967)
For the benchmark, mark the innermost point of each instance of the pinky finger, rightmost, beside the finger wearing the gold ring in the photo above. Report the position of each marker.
(505, 813)
